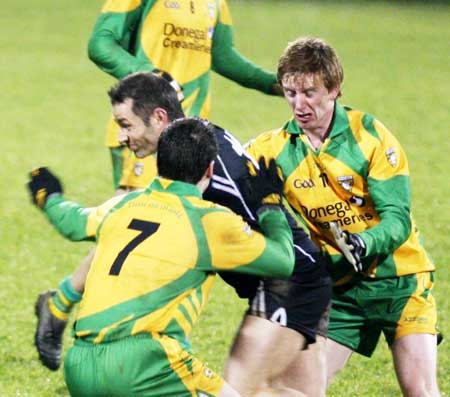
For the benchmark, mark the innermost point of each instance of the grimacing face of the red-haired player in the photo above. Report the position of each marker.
(311, 102)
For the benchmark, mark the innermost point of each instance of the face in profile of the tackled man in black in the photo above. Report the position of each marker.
(140, 138)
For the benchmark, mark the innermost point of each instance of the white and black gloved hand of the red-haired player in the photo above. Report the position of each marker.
(351, 245)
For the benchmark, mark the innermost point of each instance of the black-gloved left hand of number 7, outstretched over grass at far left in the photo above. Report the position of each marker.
(42, 184)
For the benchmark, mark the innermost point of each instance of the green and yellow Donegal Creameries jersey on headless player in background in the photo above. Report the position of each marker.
(182, 37)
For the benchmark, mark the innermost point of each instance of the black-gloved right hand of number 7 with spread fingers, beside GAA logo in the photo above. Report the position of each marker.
(263, 186)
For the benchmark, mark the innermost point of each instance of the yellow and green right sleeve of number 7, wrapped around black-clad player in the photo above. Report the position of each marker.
(227, 243)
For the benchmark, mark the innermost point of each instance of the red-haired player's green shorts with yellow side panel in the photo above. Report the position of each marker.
(395, 306)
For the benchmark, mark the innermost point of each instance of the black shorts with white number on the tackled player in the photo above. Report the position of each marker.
(303, 308)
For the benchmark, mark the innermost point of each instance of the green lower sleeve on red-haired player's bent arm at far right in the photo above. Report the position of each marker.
(392, 201)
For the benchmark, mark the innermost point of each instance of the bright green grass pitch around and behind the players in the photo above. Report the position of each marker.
(54, 111)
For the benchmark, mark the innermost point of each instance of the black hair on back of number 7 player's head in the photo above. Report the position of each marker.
(185, 150)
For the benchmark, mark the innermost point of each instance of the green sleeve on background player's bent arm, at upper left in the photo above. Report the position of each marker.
(111, 42)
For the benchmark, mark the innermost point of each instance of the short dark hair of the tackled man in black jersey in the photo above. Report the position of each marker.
(148, 92)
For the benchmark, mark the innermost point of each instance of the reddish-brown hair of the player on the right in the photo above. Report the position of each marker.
(311, 55)
